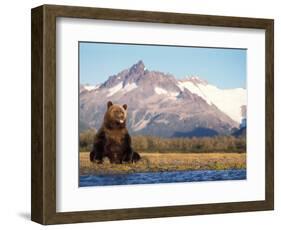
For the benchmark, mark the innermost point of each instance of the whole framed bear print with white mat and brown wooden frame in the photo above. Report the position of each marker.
(141, 114)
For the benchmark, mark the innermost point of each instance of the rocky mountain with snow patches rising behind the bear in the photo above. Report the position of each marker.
(161, 105)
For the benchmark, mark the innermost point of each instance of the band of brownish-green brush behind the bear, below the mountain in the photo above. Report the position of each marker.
(151, 144)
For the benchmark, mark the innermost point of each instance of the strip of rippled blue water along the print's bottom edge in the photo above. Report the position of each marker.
(161, 177)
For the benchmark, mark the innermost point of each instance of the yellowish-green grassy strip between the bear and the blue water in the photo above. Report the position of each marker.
(160, 162)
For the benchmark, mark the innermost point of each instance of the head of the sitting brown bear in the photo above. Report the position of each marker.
(115, 116)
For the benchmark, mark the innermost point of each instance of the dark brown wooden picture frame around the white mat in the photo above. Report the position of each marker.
(43, 188)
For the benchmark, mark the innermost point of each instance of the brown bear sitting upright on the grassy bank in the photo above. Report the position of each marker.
(112, 139)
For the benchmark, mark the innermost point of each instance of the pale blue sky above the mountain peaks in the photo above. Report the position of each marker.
(225, 68)
